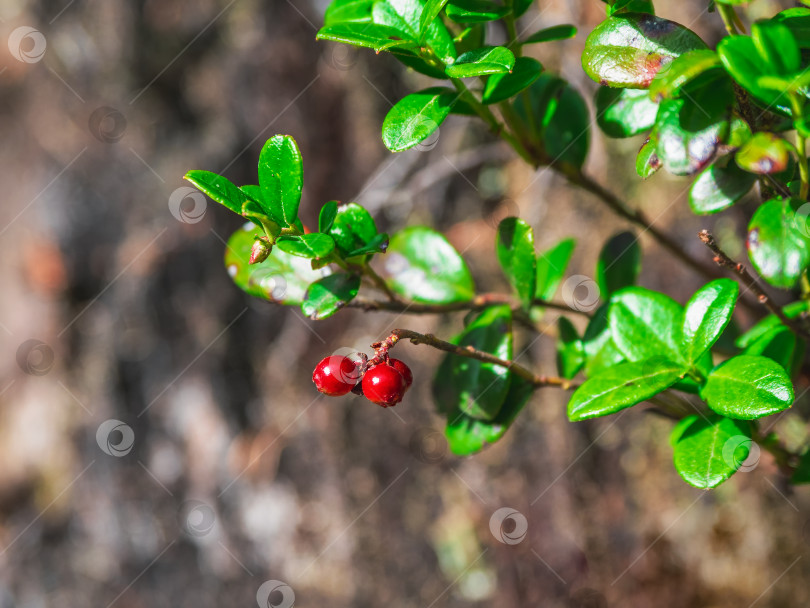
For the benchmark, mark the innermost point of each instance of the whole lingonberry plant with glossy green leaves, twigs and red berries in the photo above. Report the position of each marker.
(733, 119)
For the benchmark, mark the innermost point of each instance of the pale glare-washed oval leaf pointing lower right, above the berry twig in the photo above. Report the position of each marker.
(423, 266)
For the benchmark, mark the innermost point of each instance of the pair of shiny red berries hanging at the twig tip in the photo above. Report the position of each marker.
(383, 384)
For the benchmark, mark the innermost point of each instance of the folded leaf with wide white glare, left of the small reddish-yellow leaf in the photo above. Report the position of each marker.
(684, 148)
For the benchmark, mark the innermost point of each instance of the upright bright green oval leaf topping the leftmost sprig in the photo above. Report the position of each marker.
(281, 177)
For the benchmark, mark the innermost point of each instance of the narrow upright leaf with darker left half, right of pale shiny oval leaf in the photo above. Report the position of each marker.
(514, 246)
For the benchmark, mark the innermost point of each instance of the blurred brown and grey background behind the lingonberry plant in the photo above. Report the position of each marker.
(161, 443)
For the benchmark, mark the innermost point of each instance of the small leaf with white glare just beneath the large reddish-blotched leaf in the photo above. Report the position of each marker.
(624, 112)
